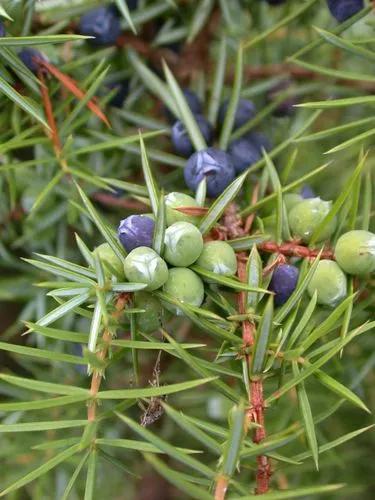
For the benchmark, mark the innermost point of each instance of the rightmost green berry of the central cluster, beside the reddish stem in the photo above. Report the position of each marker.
(218, 257)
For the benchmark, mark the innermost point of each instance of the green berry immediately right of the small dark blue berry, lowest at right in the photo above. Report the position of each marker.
(330, 283)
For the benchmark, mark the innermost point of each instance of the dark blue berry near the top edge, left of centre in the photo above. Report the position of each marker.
(103, 24)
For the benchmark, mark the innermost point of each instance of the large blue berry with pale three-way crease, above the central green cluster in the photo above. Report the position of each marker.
(213, 164)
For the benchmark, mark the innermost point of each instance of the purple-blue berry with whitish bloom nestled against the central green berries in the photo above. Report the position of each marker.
(136, 231)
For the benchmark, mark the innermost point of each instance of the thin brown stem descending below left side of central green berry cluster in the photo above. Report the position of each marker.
(97, 375)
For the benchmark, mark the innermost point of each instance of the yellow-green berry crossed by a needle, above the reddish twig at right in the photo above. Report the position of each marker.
(306, 216)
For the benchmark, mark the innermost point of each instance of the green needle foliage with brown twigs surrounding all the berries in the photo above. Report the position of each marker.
(224, 396)
